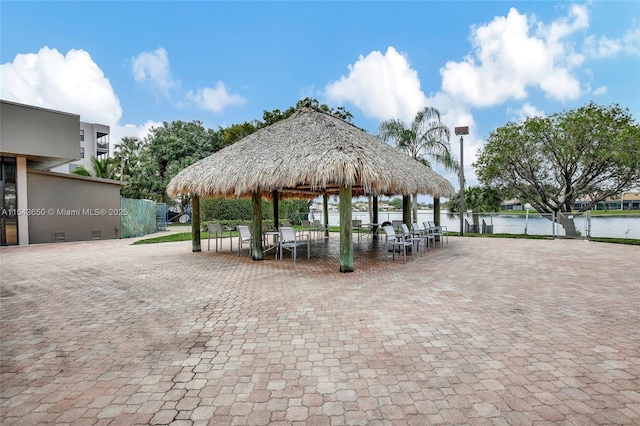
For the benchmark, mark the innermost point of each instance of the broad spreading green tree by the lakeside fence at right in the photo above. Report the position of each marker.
(589, 153)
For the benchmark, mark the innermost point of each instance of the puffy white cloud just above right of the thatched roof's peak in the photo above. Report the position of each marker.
(383, 86)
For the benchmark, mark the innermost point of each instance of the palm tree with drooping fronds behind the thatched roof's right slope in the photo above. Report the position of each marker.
(427, 137)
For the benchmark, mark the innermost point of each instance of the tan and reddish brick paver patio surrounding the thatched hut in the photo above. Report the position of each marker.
(481, 331)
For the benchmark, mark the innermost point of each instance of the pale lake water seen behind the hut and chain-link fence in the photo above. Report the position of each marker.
(612, 226)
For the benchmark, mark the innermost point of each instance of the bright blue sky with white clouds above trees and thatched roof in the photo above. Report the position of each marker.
(132, 65)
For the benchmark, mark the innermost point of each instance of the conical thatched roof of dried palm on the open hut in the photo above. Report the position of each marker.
(304, 155)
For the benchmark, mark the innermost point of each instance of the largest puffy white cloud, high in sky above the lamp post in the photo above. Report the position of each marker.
(508, 59)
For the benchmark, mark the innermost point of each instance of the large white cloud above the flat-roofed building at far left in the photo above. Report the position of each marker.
(71, 83)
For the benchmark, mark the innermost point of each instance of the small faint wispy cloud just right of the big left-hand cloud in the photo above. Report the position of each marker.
(152, 68)
